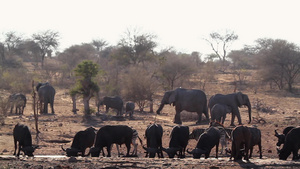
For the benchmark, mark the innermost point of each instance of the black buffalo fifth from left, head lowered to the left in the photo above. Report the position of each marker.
(178, 142)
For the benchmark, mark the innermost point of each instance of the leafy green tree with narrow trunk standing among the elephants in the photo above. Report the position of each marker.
(85, 86)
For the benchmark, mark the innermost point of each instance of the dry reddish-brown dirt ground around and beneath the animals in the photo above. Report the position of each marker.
(278, 113)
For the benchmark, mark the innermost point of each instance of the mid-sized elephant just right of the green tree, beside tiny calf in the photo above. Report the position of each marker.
(114, 102)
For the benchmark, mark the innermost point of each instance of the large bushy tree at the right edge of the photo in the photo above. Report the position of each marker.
(279, 61)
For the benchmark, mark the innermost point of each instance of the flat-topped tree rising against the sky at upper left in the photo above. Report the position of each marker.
(47, 41)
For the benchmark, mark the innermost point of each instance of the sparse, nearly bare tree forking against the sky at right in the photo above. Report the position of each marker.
(220, 44)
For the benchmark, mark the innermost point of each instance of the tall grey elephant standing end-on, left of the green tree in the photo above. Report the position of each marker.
(46, 95)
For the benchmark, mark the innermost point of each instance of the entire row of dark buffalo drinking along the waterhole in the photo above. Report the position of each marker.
(243, 140)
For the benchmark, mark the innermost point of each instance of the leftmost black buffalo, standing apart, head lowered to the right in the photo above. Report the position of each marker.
(22, 135)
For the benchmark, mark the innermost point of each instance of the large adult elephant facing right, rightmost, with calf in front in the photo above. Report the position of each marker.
(234, 100)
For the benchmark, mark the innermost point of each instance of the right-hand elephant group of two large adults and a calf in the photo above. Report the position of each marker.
(193, 100)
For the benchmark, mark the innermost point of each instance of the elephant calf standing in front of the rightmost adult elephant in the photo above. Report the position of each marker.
(218, 112)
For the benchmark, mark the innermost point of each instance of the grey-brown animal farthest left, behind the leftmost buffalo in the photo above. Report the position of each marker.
(18, 101)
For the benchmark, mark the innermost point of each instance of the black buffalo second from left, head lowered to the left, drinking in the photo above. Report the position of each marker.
(82, 140)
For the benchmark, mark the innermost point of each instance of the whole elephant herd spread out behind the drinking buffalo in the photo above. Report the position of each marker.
(191, 100)
